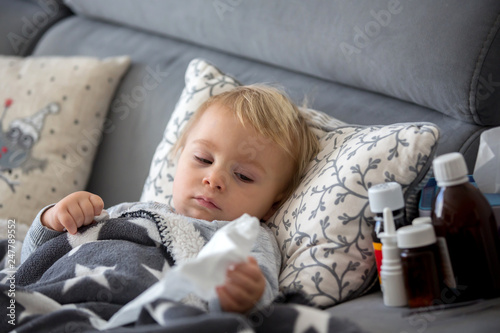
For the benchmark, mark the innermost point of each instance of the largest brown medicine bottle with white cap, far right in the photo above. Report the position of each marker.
(463, 218)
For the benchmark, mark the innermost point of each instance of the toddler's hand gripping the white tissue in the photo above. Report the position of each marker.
(244, 287)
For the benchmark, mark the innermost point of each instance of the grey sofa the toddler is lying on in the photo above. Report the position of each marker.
(363, 62)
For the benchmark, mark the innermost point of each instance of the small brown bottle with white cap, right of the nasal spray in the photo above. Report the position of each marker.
(420, 261)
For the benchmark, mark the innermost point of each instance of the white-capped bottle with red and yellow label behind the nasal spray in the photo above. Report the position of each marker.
(380, 196)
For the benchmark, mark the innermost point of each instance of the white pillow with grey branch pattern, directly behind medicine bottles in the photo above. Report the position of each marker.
(324, 229)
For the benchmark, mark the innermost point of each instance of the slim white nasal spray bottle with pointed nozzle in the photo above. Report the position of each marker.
(391, 272)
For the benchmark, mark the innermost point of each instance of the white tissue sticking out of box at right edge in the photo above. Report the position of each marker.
(487, 170)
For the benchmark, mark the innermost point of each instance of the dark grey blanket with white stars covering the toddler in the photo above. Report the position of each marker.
(75, 283)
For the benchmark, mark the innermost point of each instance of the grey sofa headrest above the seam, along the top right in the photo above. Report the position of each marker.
(442, 54)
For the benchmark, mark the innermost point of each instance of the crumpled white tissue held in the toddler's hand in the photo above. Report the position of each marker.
(229, 245)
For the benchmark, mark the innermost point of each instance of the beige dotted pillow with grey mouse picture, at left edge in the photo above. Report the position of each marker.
(52, 114)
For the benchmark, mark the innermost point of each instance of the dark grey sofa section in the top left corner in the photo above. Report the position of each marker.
(23, 22)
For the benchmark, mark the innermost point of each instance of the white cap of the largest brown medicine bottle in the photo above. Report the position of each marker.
(450, 169)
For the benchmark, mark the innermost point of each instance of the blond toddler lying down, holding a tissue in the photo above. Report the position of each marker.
(243, 151)
